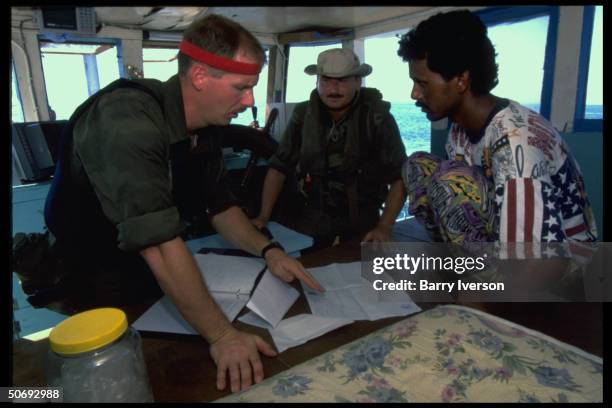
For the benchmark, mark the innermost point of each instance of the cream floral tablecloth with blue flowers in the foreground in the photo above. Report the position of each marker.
(449, 353)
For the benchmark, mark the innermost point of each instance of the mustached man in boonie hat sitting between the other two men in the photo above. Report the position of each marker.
(345, 149)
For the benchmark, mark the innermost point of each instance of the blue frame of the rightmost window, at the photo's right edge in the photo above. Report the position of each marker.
(580, 122)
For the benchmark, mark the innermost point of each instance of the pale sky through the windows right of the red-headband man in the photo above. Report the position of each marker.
(520, 51)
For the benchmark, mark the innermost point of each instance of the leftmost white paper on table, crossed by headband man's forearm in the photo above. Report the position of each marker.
(229, 279)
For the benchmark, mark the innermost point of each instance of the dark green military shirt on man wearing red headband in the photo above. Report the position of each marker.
(123, 147)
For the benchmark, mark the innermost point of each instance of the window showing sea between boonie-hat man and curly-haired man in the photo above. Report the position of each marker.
(390, 76)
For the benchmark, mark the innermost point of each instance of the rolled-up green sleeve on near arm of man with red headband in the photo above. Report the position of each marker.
(124, 151)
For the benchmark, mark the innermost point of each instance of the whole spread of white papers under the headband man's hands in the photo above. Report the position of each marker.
(230, 280)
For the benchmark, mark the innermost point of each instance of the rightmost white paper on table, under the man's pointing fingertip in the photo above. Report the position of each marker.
(349, 295)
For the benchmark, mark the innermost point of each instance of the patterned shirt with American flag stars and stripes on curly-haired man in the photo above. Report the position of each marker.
(539, 189)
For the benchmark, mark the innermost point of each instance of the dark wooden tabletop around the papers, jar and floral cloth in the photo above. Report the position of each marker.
(181, 370)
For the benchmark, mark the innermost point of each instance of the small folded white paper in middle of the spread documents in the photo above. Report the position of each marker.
(272, 298)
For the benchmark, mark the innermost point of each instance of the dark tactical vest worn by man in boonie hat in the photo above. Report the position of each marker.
(358, 179)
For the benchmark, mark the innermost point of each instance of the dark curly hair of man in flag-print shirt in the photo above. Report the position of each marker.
(452, 43)
